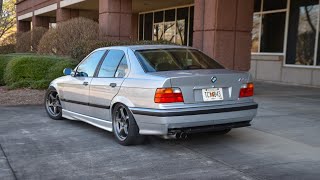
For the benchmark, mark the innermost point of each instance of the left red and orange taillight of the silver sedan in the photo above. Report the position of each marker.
(168, 95)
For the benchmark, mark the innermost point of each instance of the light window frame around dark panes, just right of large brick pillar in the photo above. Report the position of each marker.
(261, 13)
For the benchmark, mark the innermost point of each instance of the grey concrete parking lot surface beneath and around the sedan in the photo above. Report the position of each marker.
(282, 143)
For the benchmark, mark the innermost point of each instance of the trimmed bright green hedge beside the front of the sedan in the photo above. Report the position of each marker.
(33, 71)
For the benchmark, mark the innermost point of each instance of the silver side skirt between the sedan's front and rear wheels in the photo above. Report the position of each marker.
(103, 124)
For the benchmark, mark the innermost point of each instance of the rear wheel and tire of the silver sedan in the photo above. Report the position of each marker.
(124, 126)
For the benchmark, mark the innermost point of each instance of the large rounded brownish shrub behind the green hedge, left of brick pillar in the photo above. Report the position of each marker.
(68, 34)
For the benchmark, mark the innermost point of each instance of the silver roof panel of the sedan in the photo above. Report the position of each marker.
(147, 47)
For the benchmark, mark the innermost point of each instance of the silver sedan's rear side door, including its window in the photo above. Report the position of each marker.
(105, 86)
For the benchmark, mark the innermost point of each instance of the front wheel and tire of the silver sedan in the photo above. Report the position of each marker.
(52, 104)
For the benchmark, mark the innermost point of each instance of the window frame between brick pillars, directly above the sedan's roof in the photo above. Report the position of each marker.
(189, 6)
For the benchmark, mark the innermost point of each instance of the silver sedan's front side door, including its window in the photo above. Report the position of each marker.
(76, 90)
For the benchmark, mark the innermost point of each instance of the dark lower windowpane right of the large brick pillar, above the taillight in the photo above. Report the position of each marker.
(272, 32)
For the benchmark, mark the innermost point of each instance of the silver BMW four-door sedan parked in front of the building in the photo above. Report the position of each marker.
(164, 90)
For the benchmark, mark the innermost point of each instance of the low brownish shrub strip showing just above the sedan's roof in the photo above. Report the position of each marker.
(82, 49)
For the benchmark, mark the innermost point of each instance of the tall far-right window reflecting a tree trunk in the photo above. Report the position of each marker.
(302, 32)
